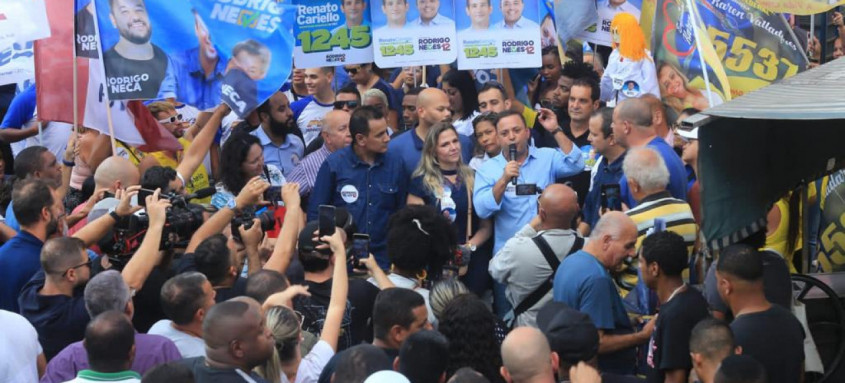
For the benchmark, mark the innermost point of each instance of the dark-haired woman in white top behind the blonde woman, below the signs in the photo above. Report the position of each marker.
(463, 99)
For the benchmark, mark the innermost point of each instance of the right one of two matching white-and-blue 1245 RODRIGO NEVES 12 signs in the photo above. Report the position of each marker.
(498, 34)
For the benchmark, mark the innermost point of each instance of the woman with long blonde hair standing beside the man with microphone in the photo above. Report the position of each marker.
(443, 181)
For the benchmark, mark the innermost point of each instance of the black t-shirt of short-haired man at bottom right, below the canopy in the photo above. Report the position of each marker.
(775, 339)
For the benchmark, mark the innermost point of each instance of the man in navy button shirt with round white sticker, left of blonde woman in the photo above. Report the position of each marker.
(365, 178)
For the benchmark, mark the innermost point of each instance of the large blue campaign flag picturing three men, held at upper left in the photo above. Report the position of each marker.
(200, 52)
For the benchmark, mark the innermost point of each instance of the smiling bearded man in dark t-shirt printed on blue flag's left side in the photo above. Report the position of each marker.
(135, 68)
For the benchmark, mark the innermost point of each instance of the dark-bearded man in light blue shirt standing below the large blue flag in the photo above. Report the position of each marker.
(280, 138)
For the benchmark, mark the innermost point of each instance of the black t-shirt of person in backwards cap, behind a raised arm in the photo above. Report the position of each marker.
(355, 327)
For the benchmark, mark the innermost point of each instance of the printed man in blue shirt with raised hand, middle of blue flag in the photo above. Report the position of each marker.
(199, 71)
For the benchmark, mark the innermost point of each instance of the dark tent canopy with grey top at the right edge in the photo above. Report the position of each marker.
(756, 148)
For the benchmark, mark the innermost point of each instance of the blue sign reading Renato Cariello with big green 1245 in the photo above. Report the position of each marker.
(332, 32)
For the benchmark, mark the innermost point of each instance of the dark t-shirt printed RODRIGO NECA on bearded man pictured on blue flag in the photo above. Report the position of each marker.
(134, 79)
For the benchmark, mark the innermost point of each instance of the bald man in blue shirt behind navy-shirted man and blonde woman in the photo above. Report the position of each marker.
(432, 107)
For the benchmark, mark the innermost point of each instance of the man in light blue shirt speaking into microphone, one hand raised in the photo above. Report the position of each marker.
(507, 186)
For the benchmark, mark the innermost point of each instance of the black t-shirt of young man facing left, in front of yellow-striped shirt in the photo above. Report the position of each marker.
(669, 344)
